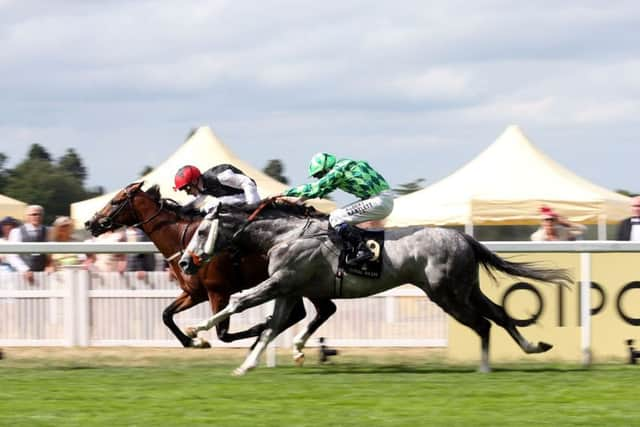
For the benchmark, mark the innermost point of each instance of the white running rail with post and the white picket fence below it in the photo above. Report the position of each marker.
(77, 308)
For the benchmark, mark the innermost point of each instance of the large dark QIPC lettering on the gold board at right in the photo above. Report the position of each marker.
(561, 294)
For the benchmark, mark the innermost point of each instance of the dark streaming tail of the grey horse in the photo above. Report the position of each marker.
(530, 270)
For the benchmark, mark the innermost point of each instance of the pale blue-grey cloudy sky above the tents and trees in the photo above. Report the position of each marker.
(417, 88)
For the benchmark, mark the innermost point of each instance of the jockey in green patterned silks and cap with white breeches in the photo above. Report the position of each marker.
(352, 176)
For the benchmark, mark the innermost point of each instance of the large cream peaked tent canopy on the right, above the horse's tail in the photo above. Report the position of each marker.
(507, 184)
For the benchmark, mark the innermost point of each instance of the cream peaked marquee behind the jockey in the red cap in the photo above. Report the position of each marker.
(204, 150)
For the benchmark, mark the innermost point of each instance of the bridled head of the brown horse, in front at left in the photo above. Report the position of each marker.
(123, 209)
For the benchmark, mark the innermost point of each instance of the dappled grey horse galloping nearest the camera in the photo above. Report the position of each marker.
(303, 258)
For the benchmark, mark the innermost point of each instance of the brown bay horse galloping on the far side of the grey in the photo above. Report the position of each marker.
(227, 273)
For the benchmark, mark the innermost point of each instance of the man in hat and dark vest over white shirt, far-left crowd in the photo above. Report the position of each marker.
(31, 231)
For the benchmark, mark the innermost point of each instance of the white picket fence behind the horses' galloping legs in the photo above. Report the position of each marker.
(75, 307)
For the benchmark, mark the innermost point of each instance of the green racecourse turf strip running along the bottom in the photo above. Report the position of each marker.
(176, 387)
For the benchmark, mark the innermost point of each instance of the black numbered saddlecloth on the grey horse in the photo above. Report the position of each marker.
(374, 240)
